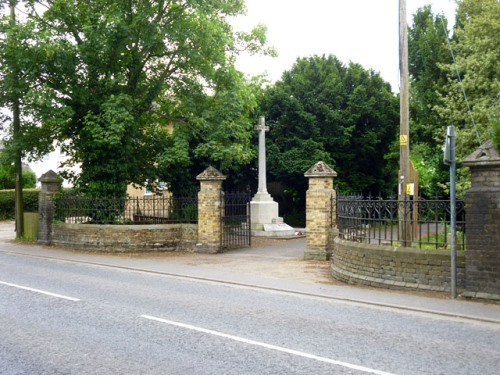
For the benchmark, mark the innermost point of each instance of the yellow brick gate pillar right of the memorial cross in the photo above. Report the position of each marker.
(320, 220)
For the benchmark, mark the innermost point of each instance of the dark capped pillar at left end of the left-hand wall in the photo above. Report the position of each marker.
(51, 184)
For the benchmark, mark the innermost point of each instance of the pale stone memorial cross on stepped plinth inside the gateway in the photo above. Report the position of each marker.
(264, 218)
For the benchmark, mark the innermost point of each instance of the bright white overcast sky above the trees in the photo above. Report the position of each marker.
(361, 31)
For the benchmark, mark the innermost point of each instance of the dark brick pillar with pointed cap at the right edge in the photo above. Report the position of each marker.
(482, 256)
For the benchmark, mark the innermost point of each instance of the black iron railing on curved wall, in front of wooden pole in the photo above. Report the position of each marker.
(414, 223)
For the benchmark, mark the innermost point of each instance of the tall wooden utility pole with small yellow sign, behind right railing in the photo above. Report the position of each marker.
(404, 212)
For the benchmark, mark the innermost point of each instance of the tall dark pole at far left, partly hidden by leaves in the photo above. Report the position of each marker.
(16, 125)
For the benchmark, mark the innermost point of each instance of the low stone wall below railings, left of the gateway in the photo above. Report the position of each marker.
(125, 238)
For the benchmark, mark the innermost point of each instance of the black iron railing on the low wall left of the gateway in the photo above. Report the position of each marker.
(153, 209)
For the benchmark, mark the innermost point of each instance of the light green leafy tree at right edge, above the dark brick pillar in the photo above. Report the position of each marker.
(476, 48)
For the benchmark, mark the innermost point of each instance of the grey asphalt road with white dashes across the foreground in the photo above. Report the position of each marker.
(60, 317)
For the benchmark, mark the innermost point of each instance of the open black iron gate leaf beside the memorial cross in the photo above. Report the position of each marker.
(235, 220)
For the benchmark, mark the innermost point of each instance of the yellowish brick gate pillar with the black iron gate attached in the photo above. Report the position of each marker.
(209, 211)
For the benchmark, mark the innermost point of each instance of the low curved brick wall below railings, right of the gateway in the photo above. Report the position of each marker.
(395, 267)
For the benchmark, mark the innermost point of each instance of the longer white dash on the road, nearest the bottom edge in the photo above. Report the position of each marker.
(268, 346)
